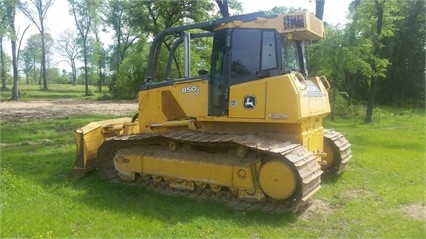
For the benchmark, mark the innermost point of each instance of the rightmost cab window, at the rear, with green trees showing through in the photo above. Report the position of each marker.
(292, 55)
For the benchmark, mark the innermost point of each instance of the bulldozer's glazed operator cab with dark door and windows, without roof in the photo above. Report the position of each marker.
(241, 55)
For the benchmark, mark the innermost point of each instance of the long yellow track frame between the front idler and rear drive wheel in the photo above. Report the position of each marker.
(200, 167)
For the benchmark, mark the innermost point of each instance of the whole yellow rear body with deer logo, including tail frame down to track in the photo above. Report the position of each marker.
(286, 108)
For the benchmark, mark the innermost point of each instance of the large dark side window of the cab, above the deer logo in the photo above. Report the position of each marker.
(245, 53)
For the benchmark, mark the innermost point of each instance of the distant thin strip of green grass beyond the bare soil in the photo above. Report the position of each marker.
(56, 91)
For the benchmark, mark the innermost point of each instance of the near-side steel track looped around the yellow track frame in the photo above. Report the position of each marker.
(304, 162)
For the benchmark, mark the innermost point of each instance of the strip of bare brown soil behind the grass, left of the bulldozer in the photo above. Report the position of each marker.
(23, 111)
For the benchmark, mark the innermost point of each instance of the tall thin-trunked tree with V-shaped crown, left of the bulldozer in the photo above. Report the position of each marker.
(85, 14)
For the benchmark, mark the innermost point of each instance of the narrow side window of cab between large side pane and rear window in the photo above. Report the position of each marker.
(269, 59)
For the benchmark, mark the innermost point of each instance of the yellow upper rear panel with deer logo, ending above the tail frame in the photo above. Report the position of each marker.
(279, 99)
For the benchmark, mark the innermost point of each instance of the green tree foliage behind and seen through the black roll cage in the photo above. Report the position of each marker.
(151, 18)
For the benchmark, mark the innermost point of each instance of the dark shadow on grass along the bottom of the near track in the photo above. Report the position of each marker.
(130, 197)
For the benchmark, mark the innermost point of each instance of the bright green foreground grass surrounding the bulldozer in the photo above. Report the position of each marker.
(38, 200)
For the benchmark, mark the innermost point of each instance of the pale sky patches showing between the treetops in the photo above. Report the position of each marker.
(59, 19)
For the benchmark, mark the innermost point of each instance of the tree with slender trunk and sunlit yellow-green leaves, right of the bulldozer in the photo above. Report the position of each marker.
(372, 32)
